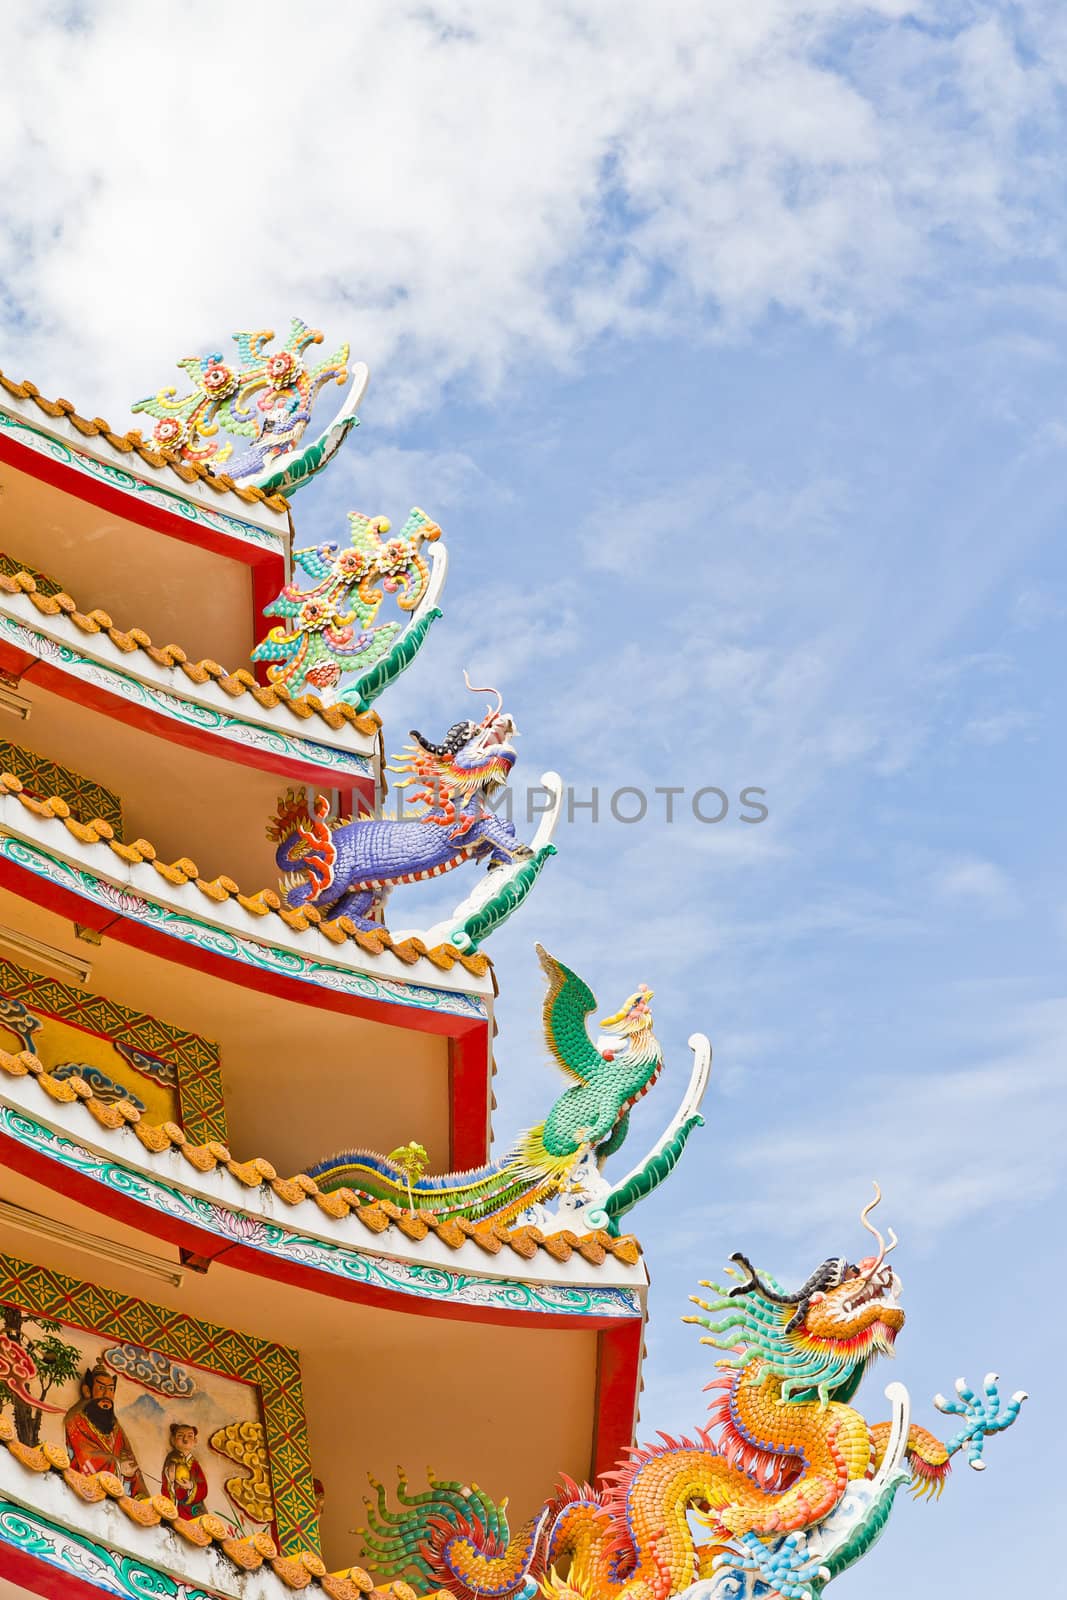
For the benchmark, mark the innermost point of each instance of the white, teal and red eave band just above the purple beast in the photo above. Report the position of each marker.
(134, 689)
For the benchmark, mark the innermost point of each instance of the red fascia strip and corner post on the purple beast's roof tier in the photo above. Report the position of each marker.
(471, 1049)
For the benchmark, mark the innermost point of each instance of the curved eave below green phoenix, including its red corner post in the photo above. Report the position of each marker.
(417, 1278)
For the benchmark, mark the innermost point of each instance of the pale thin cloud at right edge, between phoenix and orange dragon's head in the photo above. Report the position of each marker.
(948, 1146)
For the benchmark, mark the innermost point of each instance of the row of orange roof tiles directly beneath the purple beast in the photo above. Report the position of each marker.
(265, 903)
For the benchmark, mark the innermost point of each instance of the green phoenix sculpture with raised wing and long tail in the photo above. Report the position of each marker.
(561, 1154)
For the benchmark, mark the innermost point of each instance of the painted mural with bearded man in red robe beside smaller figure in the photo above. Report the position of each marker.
(161, 1426)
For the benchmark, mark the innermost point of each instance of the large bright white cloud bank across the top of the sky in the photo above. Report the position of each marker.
(462, 188)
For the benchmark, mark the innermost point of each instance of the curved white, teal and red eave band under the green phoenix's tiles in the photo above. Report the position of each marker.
(162, 1196)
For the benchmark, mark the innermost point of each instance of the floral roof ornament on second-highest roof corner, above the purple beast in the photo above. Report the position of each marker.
(330, 628)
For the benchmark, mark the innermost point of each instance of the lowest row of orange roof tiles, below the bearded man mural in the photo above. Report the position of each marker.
(297, 1572)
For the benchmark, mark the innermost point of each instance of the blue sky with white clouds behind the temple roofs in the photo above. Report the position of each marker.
(730, 354)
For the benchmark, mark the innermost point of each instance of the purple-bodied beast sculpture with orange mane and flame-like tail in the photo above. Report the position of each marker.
(346, 868)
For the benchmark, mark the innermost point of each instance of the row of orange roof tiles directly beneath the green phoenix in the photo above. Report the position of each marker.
(377, 1217)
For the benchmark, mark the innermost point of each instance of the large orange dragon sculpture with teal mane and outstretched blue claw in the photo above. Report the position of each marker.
(788, 1479)
